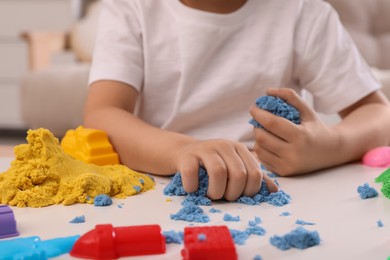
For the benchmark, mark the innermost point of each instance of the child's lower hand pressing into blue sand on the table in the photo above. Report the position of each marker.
(232, 169)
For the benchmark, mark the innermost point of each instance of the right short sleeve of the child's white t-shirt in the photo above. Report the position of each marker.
(327, 63)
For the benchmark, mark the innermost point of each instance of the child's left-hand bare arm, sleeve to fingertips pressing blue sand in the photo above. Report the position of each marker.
(232, 168)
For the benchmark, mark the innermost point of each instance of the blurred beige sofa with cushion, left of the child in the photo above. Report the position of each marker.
(53, 92)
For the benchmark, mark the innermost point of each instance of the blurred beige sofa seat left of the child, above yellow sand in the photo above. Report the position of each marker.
(54, 98)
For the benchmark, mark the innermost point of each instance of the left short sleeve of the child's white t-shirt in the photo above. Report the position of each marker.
(118, 49)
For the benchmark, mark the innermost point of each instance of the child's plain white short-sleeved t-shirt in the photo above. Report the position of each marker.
(199, 72)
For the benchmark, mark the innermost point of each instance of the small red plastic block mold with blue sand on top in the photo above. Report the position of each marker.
(208, 243)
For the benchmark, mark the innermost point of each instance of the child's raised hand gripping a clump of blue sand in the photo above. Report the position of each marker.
(289, 149)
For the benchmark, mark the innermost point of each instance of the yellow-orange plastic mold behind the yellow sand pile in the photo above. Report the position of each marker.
(90, 146)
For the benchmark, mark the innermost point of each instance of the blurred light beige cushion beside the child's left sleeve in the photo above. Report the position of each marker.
(83, 33)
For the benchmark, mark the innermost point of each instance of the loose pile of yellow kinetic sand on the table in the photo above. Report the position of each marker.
(42, 174)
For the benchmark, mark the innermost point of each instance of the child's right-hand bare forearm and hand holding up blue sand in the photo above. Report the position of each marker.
(290, 149)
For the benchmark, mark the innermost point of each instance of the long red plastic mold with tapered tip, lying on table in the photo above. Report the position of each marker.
(107, 242)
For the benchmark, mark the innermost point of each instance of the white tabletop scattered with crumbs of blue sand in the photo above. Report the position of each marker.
(347, 225)
